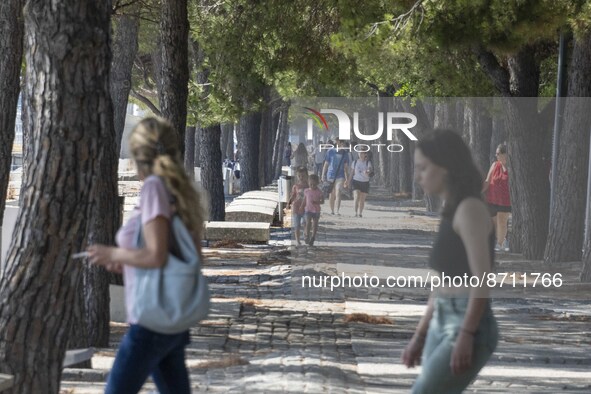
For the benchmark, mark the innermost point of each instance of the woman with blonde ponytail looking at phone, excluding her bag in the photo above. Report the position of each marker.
(166, 190)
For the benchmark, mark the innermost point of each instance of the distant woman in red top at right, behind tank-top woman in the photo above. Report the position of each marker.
(496, 187)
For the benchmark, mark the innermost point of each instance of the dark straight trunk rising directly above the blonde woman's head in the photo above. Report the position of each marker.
(174, 76)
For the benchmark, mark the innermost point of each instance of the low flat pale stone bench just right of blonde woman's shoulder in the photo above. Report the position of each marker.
(237, 231)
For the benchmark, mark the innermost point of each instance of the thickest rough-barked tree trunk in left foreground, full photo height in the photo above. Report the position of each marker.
(69, 120)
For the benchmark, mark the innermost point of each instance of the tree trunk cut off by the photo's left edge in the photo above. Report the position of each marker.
(11, 53)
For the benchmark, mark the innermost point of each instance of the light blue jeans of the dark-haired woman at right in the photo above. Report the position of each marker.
(445, 325)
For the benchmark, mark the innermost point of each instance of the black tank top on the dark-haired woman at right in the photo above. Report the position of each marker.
(449, 254)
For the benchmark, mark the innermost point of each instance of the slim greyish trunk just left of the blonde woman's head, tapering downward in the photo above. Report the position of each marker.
(124, 47)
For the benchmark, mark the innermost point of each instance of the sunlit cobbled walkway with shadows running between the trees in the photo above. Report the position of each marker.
(267, 334)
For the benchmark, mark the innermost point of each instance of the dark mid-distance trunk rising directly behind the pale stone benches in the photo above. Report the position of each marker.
(248, 143)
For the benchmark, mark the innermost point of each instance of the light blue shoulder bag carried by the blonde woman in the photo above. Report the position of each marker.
(175, 297)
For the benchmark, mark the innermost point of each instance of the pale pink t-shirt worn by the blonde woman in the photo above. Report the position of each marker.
(155, 200)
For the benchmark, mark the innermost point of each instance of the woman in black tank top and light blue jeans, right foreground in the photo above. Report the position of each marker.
(458, 332)
